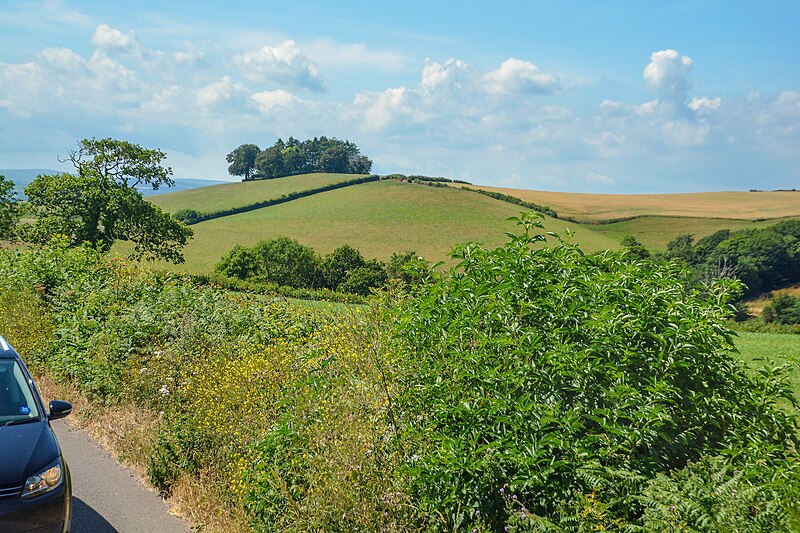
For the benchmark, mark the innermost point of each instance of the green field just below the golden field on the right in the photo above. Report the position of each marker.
(654, 232)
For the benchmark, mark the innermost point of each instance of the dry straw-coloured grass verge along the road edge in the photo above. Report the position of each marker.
(128, 433)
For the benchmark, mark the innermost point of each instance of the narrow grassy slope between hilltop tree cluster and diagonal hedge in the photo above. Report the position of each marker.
(230, 195)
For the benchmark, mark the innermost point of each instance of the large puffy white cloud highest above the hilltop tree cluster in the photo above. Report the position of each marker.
(285, 64)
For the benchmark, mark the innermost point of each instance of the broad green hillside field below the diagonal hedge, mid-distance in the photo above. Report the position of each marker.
(377, 218)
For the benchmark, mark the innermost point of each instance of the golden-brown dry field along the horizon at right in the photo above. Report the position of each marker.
(598, 207)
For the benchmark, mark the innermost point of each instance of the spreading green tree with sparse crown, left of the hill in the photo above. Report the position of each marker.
(101, 205)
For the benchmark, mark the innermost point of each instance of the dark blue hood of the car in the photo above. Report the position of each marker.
(25, 449)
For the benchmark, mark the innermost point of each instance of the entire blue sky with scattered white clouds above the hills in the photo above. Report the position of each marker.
(571, 96)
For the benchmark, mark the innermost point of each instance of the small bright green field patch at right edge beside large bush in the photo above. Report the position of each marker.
(759, 350)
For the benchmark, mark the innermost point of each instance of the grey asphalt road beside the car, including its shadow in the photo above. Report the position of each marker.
(107, 497)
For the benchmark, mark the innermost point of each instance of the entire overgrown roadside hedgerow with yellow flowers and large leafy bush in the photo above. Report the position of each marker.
(532, 387)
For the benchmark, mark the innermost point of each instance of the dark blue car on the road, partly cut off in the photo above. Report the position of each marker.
(35, 489)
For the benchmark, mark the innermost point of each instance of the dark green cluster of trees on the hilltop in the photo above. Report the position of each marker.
(320, 154)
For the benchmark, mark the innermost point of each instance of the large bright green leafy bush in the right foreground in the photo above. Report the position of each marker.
(569, 380)
